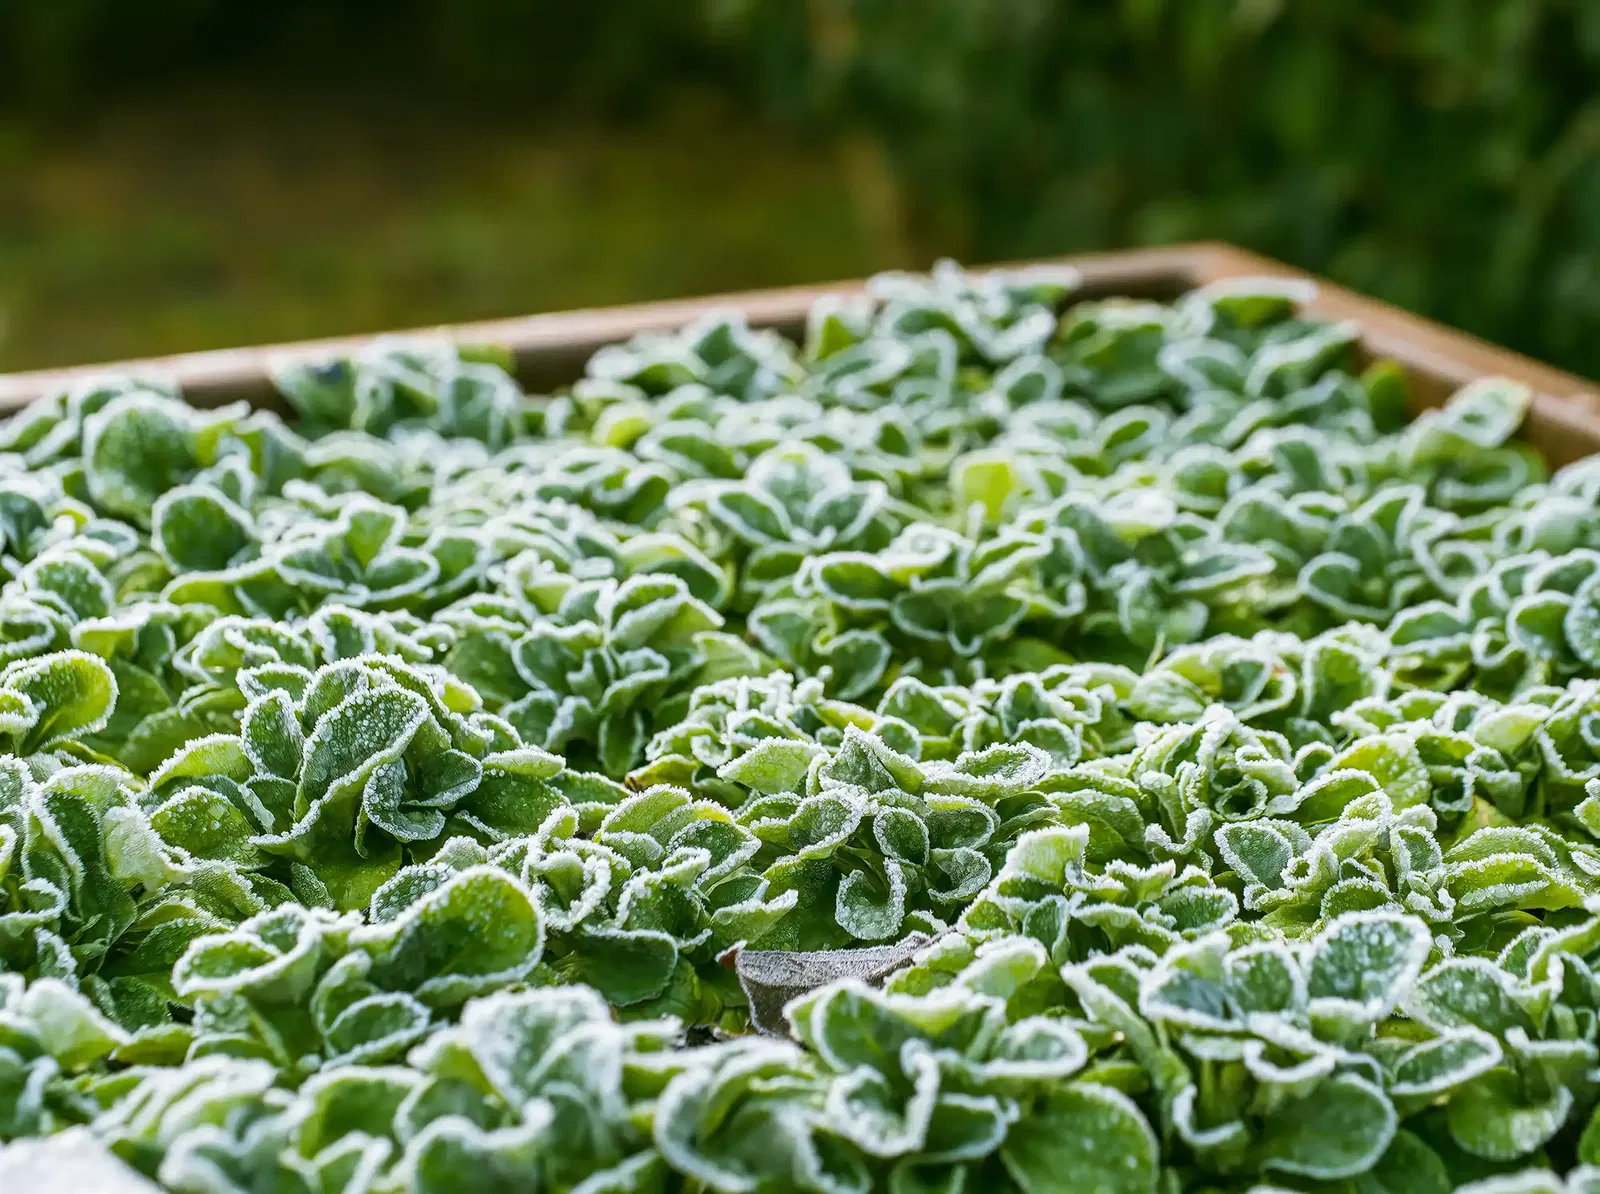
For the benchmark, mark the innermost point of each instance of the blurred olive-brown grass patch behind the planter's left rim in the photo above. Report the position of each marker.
(220, 217)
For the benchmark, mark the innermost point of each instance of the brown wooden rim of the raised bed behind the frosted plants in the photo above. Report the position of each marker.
(1564, 422)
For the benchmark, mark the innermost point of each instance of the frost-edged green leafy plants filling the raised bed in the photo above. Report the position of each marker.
(393, 798)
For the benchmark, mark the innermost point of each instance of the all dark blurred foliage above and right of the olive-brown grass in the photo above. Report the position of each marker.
(1444, 154)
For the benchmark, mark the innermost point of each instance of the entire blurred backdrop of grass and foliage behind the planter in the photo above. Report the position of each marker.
(194, 174)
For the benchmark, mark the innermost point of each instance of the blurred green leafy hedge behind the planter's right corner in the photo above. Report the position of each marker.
(1444, 154)
